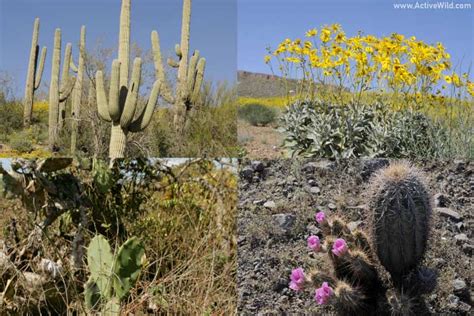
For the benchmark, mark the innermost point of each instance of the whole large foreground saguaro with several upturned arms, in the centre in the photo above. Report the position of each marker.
(121, 108)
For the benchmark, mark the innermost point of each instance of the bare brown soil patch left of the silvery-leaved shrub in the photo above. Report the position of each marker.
(263, 142)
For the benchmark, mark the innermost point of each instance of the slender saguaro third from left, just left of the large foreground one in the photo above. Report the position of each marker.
(77, 92)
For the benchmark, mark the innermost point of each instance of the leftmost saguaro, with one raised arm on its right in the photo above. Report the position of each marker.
(35, 72)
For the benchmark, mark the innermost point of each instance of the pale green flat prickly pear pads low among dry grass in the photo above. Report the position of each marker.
(111, 276)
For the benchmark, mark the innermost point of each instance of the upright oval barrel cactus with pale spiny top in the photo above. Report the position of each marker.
(401, 218)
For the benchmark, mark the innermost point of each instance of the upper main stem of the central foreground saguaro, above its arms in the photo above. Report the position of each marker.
(124, 42)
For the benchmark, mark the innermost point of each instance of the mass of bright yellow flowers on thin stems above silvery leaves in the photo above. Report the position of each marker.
(403, 67)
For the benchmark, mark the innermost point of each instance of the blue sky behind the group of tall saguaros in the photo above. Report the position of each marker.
(213, 30)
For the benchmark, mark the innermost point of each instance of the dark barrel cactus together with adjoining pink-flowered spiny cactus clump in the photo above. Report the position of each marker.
(399, 228)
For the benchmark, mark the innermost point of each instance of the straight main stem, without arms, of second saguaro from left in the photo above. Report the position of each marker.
(54, 91)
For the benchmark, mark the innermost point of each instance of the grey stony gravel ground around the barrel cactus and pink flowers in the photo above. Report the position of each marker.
(277, 203)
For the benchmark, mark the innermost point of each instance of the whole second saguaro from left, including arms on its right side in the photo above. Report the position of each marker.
(59, 92)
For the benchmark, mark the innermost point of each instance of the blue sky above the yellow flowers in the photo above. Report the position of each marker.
(264, 23)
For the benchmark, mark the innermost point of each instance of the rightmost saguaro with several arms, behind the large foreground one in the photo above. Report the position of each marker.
(190, 72)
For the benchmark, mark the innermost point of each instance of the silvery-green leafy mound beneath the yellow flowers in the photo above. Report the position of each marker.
(316, 129)
